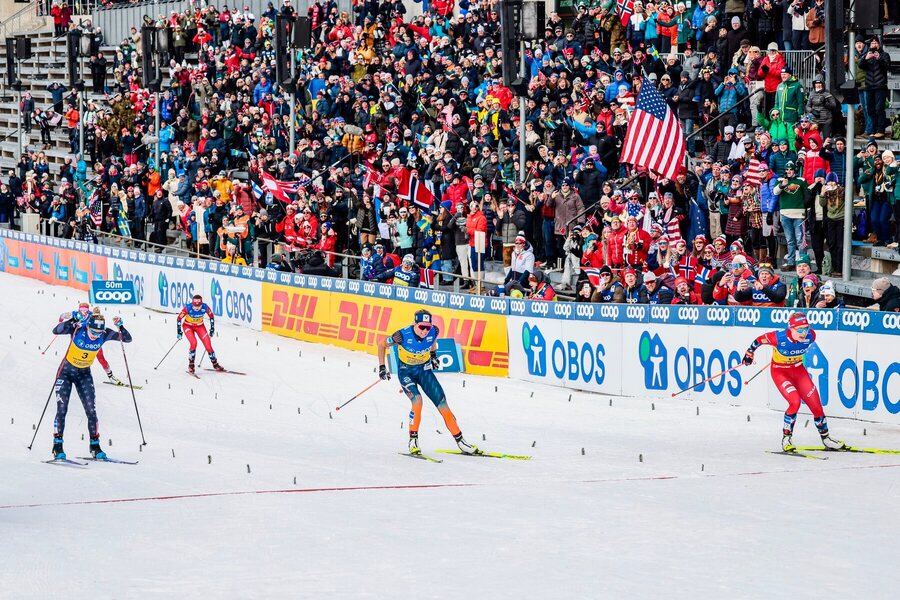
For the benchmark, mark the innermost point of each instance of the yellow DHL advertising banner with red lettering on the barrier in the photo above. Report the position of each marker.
(358, 322)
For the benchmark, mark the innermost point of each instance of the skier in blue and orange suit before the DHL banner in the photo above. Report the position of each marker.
(417, 357)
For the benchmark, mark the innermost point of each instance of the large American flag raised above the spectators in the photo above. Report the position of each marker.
(654, 139)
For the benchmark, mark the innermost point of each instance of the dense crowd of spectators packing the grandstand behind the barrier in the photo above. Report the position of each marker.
(384, 99)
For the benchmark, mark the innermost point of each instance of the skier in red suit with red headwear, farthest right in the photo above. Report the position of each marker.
(791, 377)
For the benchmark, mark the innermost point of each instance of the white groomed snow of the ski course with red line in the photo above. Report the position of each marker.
(325, 511)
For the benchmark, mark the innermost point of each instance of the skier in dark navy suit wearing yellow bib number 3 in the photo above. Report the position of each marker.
(88, 336)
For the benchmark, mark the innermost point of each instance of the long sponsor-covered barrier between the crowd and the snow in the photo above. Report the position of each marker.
(646, 351)
